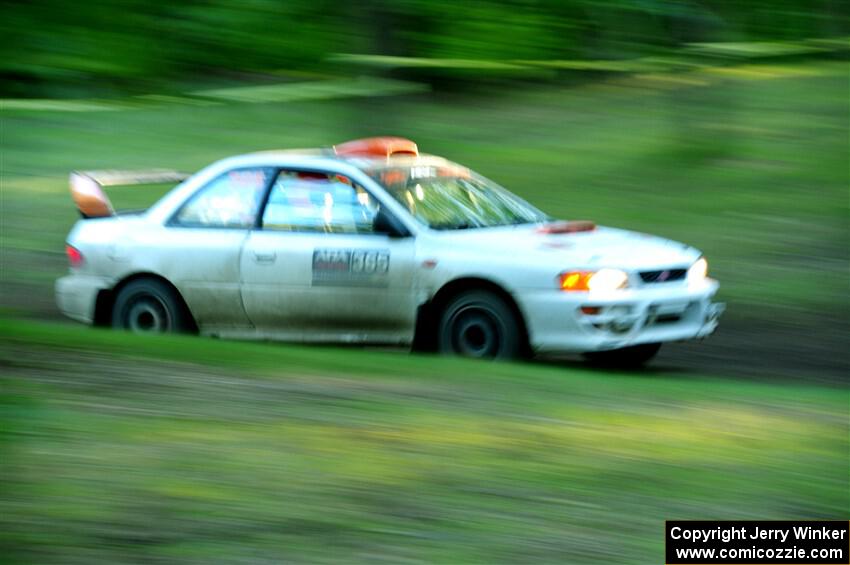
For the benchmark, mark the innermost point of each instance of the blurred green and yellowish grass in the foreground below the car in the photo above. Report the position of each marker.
(125, 449)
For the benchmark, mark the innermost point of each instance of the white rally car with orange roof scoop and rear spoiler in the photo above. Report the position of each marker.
(372, 242)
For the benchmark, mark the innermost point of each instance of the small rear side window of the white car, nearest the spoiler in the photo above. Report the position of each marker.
(230, 200)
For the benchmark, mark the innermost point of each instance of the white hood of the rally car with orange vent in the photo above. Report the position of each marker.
(601, 247)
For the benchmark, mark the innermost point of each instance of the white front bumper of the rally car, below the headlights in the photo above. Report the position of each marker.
(651, 314)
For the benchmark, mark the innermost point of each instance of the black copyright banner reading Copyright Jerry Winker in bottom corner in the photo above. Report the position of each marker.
(757, 542)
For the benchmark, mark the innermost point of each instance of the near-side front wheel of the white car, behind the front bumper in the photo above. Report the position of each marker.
(479, 324)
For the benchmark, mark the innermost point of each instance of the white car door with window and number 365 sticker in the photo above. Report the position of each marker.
(316, 270)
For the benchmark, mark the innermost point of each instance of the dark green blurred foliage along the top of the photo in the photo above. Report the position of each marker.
(108, 46)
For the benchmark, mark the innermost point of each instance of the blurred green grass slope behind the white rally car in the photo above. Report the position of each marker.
(747, 163)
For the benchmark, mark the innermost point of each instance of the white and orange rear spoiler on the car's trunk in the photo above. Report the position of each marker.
(87, 187)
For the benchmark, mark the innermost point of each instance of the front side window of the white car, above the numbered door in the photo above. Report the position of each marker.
(318, 202)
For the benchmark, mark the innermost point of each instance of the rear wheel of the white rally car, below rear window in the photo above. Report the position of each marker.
(150, 306)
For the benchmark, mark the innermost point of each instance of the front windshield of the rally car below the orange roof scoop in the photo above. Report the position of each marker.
(452, 198)
